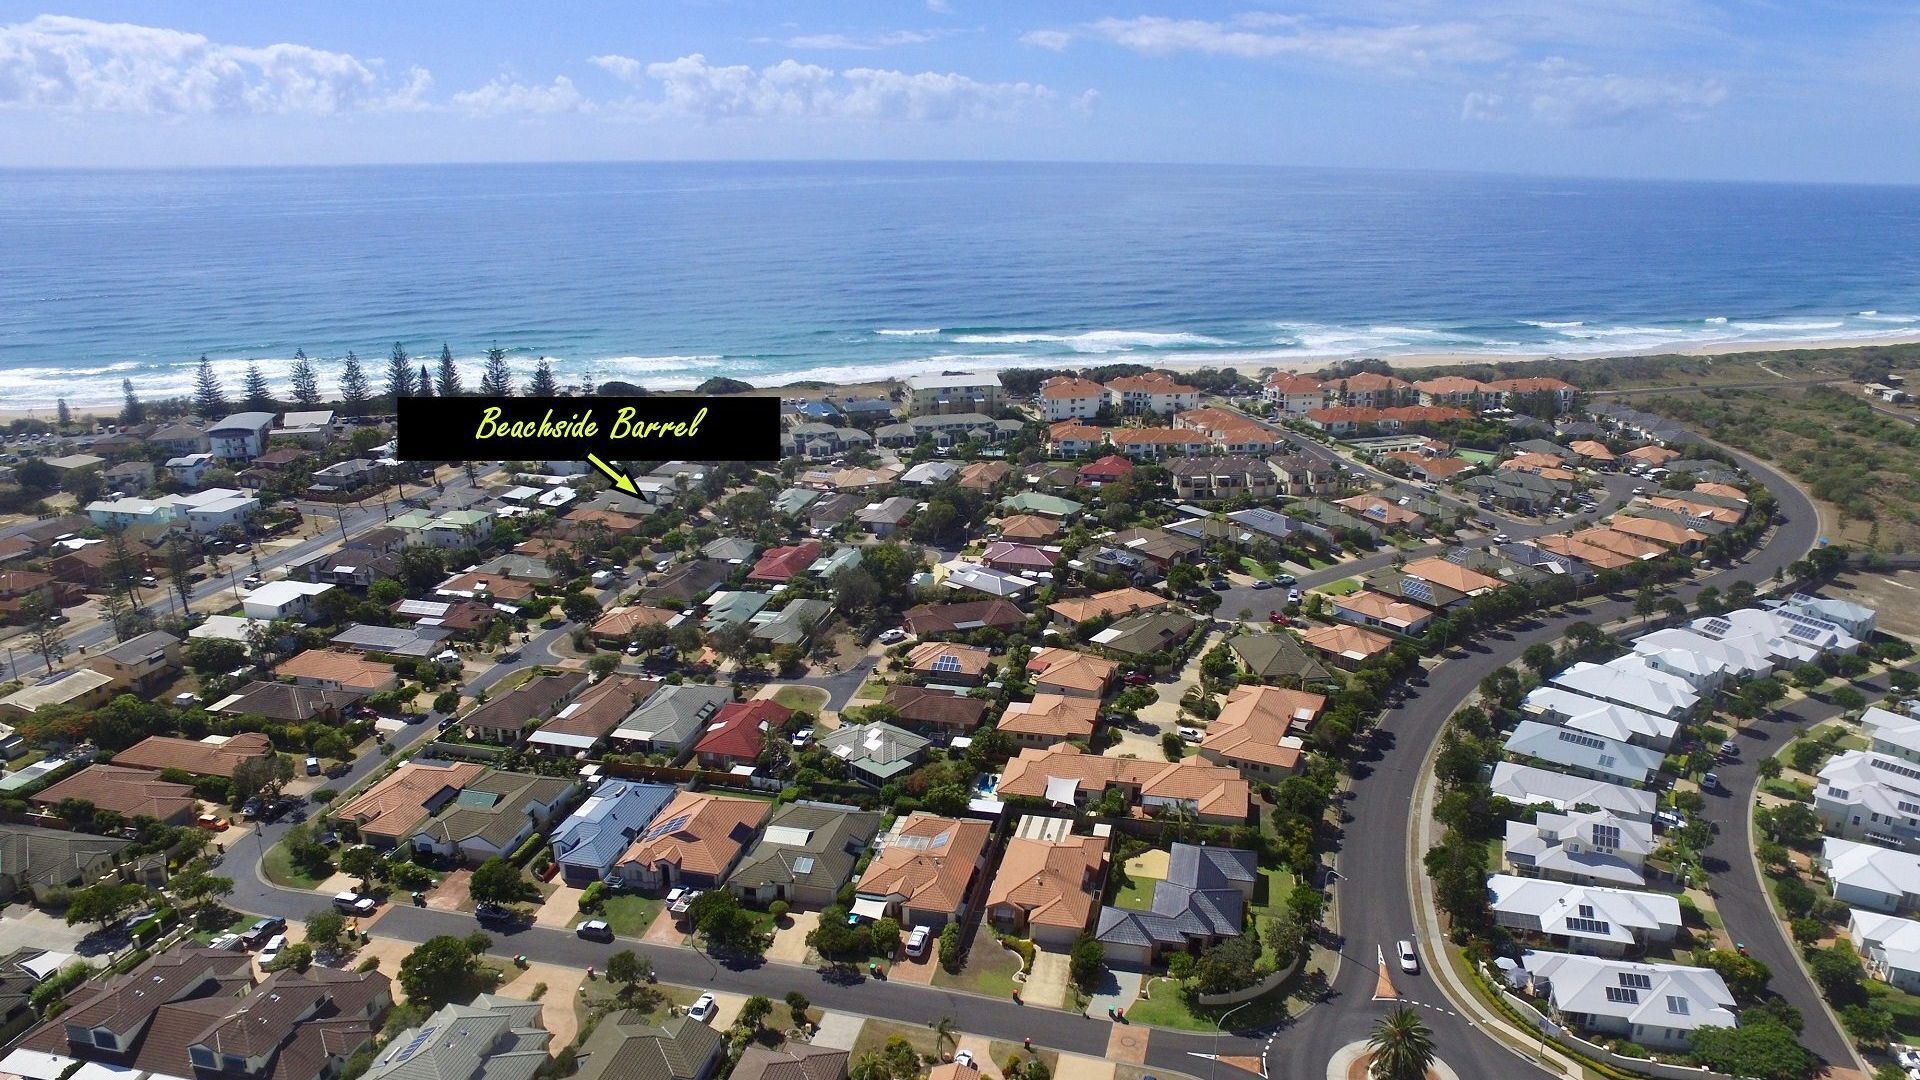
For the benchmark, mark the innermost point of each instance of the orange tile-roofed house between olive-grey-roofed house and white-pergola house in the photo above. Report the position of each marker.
(924, 871)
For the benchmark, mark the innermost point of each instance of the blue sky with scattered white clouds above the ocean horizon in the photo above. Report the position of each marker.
(1681, 89)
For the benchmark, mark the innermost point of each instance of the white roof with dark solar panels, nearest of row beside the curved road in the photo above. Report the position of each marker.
(1658, 996)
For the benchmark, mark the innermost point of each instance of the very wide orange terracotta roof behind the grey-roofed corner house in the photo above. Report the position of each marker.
(1068, 777)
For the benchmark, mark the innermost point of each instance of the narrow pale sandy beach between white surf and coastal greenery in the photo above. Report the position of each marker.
(1404, 362)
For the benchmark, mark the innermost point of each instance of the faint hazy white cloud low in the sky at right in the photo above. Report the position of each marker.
(1564, 93)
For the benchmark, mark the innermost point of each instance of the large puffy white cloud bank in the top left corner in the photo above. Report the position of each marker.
(66, 64)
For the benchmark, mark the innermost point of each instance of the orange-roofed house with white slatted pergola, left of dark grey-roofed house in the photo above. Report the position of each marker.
(1049, 883)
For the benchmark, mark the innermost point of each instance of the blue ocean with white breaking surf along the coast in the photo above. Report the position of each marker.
(669, 274)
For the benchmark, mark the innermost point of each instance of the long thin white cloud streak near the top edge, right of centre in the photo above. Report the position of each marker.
(1264, 36)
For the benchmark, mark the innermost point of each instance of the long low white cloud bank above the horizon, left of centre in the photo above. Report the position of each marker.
(809, 91)
